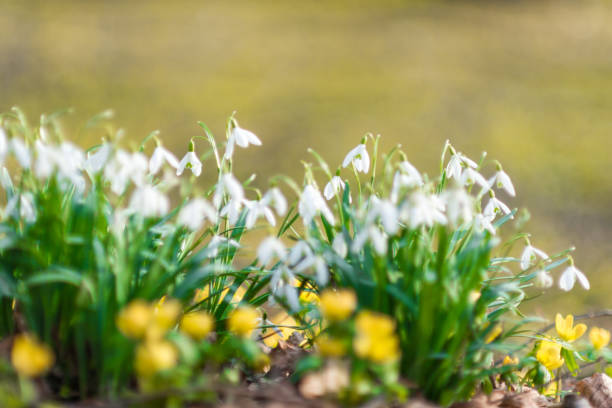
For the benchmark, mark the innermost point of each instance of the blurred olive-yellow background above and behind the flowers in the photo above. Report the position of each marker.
(530, 82)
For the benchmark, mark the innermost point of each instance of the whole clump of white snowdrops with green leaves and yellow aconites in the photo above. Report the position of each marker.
(116, 266)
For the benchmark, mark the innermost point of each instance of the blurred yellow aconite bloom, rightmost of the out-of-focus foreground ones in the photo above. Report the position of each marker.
(376, 339)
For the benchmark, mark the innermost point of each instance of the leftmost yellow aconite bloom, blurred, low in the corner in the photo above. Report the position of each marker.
(30, 357)
